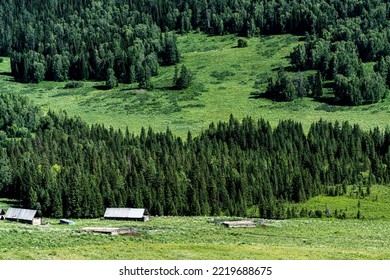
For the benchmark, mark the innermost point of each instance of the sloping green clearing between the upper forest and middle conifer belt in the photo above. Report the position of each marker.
(226, 80)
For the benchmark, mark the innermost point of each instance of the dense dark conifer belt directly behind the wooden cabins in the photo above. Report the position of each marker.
(63, 167)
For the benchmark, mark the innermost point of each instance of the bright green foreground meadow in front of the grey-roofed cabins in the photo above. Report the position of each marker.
(197, 238)
